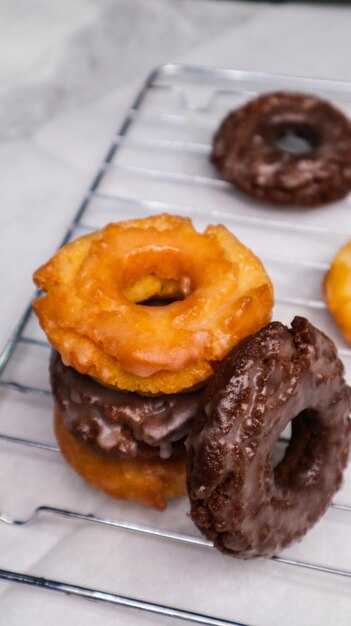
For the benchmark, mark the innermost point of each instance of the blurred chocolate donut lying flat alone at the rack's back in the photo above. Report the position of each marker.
(250, 150)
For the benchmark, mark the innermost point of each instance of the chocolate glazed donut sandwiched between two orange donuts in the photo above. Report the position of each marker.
(119, 424)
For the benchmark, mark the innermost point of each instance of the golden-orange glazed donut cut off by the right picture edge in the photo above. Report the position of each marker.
(337, 289)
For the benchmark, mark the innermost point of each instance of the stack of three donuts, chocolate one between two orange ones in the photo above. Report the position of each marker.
(139, 314)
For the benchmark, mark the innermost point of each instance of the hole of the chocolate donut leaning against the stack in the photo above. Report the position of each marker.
(300, 464)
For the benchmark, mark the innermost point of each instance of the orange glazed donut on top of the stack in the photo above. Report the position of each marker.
(91, 314)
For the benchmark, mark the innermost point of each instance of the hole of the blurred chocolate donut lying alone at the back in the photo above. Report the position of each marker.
(296, 139)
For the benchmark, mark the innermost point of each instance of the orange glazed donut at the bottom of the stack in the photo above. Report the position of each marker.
(147, 481)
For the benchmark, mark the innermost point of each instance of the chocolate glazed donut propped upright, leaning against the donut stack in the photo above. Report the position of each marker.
(238, 499)
